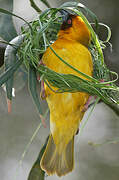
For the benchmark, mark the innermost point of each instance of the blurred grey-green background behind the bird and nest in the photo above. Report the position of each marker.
(16, 129)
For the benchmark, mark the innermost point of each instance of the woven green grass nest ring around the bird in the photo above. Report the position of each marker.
(44, 33)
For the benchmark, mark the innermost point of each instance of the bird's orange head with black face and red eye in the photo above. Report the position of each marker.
(74, 28)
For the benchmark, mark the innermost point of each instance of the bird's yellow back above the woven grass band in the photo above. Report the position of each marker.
(72, 52)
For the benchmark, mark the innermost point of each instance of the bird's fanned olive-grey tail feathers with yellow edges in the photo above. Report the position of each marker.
(57, 162)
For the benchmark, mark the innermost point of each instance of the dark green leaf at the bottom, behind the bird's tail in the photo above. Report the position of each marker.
(36, 172)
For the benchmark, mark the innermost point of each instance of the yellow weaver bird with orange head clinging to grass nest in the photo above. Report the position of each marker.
(66, 109)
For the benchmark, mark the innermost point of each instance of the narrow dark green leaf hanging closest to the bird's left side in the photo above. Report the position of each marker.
(32, 82)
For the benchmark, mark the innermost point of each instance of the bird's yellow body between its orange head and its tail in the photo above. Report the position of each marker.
(66, 109)
